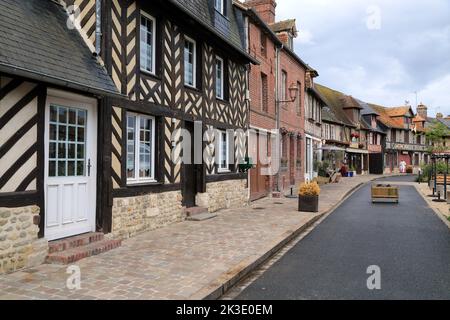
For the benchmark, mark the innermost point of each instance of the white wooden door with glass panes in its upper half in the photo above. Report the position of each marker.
(70, 165)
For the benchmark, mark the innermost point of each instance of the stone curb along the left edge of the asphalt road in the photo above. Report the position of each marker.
(221, 285)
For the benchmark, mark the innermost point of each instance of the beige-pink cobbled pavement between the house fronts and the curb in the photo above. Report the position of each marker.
(178, 261)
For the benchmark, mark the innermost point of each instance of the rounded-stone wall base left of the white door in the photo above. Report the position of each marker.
(19, 244)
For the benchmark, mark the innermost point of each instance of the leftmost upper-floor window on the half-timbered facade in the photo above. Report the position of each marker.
(148, 43)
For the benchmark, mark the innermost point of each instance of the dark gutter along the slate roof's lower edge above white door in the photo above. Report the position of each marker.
(33, 75)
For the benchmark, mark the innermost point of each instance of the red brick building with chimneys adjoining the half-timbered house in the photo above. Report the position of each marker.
(271, 43)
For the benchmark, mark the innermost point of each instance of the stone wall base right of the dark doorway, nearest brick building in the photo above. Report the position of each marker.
(224, 195)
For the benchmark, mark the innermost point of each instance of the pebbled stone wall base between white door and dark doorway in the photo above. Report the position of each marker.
(134, 215)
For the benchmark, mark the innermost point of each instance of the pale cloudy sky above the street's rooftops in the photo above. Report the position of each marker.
(380, 51)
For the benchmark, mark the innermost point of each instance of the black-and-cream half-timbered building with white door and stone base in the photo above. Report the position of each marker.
(97, 101)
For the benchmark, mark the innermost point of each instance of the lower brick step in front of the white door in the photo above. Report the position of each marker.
(78, 253)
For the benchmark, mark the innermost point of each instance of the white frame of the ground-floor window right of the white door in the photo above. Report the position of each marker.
(137, 138)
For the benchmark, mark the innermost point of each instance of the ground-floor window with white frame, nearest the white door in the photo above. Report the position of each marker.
(140, 148)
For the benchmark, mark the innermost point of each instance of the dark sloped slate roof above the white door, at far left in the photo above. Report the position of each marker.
(36, 43)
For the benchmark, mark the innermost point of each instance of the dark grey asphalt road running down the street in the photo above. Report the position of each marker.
(407, 241)
